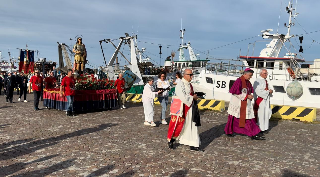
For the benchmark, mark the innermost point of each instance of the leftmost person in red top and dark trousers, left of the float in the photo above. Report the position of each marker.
(36, 82)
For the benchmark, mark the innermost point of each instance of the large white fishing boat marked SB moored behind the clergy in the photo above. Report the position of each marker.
(293, 84)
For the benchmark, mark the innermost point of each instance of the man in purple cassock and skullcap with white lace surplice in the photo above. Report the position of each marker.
(241, 116)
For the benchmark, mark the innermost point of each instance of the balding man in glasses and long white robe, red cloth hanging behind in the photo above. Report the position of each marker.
(184, 128)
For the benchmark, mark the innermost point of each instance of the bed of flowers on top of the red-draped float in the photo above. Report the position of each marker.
(89, 82)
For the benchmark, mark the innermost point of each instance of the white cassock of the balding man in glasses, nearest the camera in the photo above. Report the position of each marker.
(189, 134)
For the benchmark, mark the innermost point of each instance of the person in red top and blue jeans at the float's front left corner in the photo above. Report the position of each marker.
(67, 89)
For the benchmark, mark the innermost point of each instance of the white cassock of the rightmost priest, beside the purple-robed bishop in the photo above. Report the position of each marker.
(264, 111)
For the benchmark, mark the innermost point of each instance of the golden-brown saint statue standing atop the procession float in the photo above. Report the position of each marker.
(80, 55)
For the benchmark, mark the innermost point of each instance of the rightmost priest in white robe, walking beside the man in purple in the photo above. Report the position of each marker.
(262, 94)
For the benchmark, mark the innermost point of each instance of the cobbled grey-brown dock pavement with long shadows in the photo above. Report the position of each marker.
(116, 143)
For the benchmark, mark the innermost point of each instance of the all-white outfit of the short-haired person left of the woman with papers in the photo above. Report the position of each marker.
(147, 99)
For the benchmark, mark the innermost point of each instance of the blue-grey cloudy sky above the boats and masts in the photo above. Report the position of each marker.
(209, 24)
